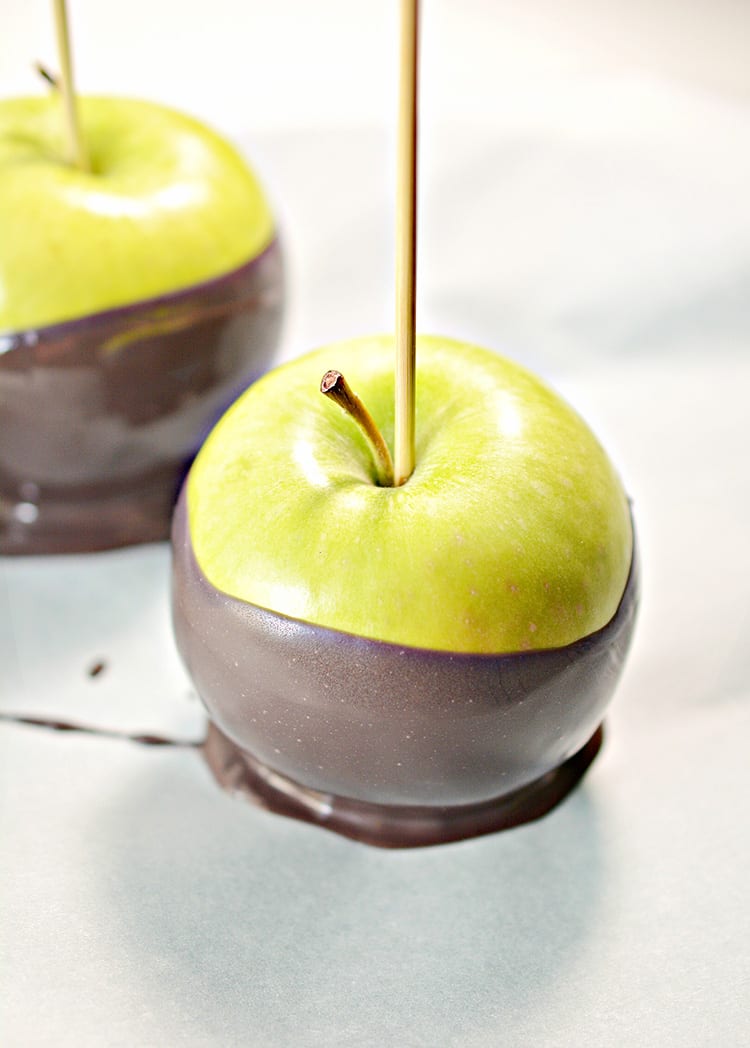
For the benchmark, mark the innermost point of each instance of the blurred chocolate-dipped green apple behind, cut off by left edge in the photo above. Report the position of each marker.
(141, 290)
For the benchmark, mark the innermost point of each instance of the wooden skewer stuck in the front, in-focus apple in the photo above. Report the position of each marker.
(407, 246)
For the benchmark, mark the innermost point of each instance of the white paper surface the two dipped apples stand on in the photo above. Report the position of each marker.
(600, 229)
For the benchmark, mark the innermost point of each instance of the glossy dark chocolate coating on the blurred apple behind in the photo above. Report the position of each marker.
(101, 417)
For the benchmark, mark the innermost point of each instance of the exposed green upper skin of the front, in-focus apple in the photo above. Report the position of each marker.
(514, 533)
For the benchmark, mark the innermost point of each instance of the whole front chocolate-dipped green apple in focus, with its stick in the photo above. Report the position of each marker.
(407, 650)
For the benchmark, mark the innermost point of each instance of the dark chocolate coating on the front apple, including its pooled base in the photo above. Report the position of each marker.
(382, 727)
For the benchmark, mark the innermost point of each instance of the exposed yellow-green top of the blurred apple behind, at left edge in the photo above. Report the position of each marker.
(167, 205)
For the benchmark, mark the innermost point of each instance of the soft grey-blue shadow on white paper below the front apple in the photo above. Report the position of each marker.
(236, 927)
